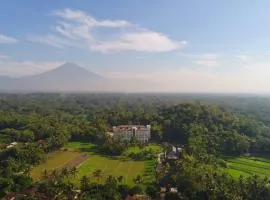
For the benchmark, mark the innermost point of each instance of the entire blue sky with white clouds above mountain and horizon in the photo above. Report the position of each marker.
(183, 46)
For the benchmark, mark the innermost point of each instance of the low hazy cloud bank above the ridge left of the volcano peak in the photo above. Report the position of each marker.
(14, 68)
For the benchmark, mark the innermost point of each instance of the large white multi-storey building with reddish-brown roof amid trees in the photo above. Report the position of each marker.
(127, 132)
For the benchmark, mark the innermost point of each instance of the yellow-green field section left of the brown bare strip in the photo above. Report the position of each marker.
(53, 161)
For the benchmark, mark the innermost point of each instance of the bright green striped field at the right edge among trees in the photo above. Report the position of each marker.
(247, 166)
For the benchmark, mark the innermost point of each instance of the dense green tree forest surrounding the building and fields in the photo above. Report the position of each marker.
(208, 127)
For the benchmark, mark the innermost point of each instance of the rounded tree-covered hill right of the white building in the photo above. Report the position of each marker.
(206, 128)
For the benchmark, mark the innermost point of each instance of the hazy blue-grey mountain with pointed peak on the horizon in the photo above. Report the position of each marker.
(67, 77)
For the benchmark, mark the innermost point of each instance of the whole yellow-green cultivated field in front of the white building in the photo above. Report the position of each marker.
(82, 155)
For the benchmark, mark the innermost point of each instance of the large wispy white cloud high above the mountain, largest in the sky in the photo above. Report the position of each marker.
(76, 28)
